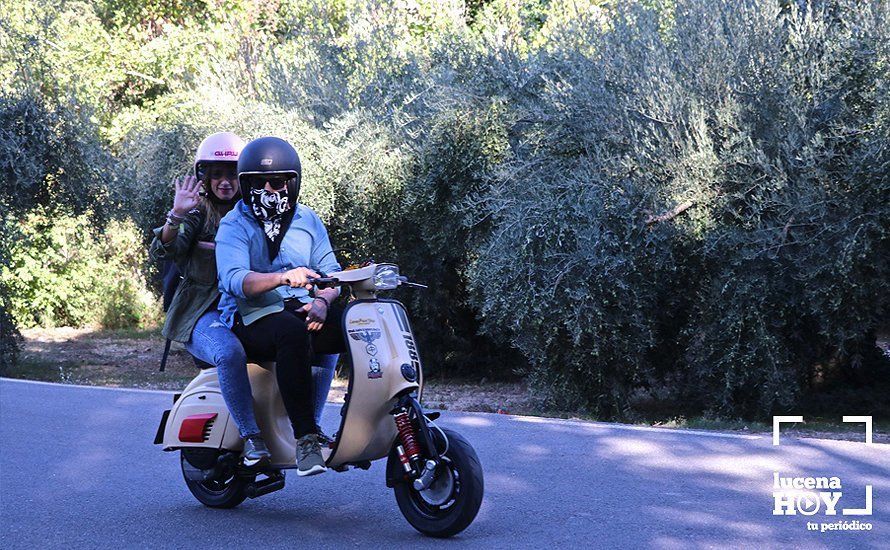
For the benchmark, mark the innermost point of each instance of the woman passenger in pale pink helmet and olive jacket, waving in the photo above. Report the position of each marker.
(186, 243)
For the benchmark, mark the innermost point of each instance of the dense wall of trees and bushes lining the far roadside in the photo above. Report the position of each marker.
(629, 203)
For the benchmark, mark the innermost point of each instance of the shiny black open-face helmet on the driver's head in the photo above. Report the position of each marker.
(270, 158)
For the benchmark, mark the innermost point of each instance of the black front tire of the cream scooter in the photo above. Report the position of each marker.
(466, 497)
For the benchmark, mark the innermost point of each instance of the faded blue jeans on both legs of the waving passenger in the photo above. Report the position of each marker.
(213, 343)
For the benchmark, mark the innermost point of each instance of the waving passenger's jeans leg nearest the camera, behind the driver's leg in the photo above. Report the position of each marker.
(214, 343)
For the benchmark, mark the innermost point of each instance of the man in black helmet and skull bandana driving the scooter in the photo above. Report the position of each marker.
(265, 247)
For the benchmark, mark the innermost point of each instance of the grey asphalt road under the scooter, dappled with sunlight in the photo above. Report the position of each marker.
(78, 470)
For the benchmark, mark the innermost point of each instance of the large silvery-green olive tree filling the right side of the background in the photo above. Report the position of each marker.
(707, 189)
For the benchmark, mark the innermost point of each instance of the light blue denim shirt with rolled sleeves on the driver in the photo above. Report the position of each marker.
(241, 247)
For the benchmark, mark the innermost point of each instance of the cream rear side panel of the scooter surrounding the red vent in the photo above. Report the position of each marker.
(201, 396)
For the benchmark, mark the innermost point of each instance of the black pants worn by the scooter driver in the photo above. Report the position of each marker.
(283, 338)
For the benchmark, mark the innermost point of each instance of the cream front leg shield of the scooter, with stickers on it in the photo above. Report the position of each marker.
(378, 337)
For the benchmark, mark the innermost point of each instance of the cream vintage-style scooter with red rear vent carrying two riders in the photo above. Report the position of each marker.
(433, 471)
